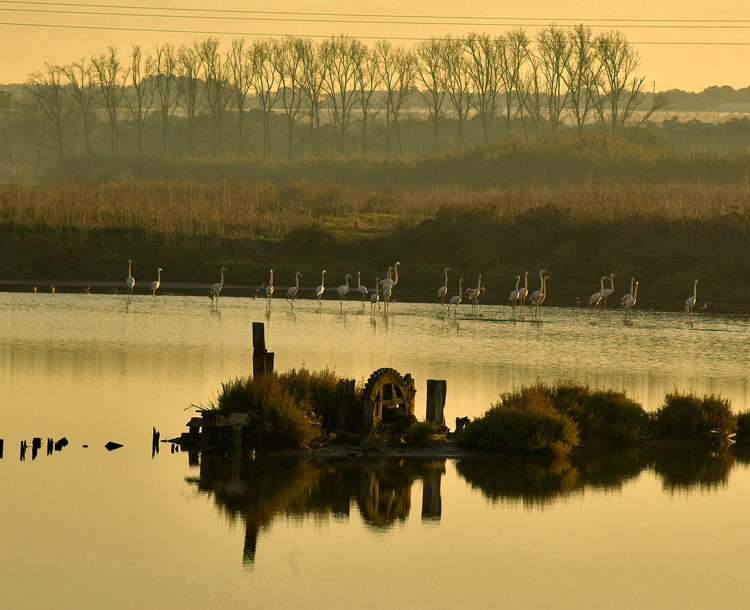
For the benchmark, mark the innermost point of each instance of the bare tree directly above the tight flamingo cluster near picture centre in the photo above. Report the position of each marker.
(397, 75)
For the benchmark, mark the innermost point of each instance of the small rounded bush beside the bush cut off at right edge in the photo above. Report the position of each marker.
(687, 416)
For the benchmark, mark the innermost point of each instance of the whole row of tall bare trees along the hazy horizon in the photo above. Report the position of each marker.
(561, 74)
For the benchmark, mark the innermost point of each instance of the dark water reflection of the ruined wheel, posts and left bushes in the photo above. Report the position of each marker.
(258, 490)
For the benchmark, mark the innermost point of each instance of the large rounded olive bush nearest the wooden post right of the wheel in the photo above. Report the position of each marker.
(524, 421)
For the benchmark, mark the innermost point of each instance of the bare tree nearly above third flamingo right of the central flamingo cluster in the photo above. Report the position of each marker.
(485, 74)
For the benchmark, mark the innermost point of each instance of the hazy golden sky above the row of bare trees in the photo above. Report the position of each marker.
(658, 29)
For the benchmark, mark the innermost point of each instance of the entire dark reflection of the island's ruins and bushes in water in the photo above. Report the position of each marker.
(256, 491)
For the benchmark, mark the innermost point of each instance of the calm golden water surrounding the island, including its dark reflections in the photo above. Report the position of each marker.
(84, 527)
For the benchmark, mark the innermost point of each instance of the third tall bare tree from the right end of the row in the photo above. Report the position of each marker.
(554, 51)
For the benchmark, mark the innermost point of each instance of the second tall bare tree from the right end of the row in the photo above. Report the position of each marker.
(582, 72)
